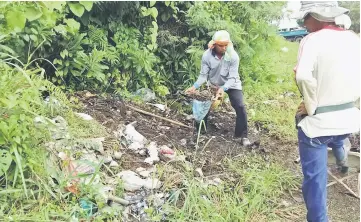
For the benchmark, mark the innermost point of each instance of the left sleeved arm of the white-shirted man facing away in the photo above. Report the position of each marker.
(307, 61)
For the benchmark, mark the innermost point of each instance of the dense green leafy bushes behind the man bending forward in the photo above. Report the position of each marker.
(119, 46)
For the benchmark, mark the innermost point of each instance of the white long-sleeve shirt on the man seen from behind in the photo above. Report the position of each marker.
(328, 73)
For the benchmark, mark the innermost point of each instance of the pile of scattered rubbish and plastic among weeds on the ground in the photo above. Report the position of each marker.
(79, 165)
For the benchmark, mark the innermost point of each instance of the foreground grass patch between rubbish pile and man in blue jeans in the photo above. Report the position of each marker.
(252, 197)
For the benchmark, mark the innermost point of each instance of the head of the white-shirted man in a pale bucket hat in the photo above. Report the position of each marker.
(318, 14)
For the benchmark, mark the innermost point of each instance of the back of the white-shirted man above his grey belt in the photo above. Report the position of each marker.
(338, 66)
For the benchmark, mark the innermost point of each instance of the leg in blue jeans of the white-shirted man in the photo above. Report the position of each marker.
(313, 154)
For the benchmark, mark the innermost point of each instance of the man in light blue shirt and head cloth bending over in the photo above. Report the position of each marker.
(220, 67)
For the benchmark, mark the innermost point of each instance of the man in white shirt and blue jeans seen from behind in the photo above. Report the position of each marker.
(328, 76)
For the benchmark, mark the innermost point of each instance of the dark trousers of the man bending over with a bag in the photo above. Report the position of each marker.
(236, 99)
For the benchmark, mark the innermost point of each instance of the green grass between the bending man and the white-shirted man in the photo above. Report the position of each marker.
(278, 115)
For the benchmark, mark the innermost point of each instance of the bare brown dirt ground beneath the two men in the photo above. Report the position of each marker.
(111, 113)
